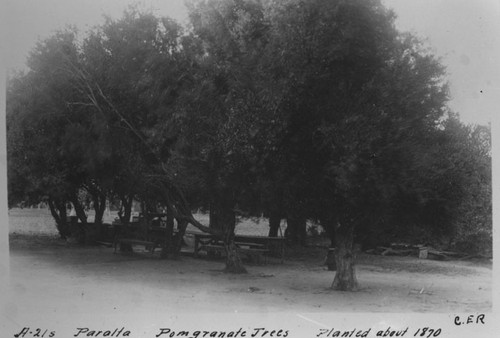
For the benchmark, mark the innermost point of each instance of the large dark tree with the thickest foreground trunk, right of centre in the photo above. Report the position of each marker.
(358, 98)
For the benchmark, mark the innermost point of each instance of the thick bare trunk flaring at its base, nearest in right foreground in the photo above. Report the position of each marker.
(345, 278)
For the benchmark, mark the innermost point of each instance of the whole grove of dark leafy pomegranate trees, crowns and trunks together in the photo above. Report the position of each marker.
(299, 110)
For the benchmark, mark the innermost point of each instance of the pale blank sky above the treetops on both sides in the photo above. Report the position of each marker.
(465, 34)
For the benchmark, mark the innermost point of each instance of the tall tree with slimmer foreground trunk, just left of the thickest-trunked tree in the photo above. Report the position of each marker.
(222, 111)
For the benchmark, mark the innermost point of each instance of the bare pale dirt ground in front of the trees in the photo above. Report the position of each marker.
(52, 276)
